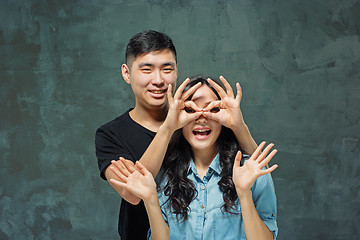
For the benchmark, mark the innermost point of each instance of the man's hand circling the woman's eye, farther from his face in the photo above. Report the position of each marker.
(229, 113)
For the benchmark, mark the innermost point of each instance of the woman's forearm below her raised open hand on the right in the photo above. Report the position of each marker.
(255, 227)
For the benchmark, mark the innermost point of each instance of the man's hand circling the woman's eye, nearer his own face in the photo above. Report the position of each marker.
(177, 116)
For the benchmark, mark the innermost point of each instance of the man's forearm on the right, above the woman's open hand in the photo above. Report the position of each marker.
(244, 138)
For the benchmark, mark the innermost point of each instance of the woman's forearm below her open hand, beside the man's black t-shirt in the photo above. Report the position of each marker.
(158, 226)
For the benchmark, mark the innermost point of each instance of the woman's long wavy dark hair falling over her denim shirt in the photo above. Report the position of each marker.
(180, 190)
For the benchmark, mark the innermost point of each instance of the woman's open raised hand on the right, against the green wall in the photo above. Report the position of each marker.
(245, 176)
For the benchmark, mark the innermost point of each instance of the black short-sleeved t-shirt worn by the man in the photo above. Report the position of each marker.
(123, 137)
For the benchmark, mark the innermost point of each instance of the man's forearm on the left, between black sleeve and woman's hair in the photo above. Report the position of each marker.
(155, 153)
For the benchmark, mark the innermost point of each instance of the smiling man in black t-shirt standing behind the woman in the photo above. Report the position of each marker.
(151, 70)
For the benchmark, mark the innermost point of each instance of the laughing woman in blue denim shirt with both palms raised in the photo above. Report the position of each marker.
(208, 191)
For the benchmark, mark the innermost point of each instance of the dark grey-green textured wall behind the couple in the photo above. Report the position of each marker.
(297, 61)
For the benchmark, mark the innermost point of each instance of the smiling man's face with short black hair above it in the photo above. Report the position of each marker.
(150, 75)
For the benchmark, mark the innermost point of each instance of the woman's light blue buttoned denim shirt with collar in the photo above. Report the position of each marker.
(207, 219)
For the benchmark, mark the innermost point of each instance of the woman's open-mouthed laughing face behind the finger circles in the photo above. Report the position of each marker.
(202, 133)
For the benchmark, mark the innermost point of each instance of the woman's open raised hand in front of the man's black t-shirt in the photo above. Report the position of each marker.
(136, 179)
